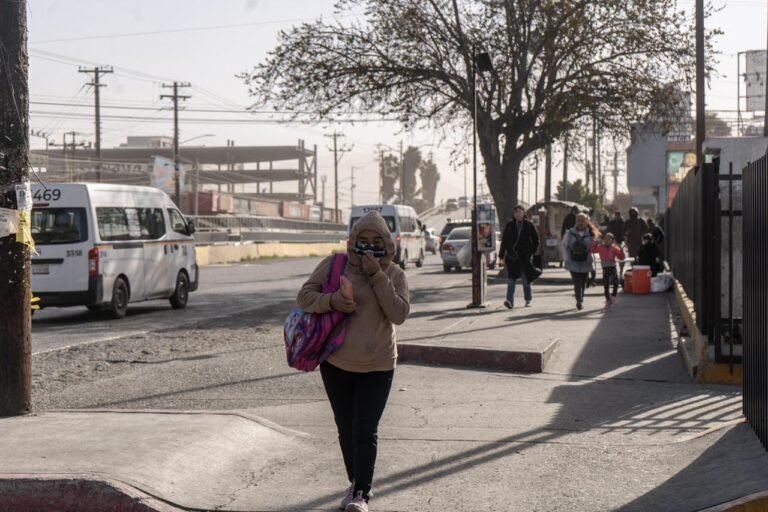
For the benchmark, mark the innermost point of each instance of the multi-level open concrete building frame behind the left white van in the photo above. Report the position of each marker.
(275, 181)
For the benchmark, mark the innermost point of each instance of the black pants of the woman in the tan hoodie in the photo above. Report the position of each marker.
(358, 401)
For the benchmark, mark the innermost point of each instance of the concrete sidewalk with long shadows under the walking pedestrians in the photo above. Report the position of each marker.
(612, 423)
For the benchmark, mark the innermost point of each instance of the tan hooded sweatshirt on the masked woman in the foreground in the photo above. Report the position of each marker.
(382, 301)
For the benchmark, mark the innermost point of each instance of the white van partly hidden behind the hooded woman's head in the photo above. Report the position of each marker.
(406, 229)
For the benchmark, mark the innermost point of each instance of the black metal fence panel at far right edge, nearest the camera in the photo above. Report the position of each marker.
(755, 285)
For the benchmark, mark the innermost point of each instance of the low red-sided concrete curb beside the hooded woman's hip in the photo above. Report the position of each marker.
(480, 358)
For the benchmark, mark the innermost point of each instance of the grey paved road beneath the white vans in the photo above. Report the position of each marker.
(224, 291)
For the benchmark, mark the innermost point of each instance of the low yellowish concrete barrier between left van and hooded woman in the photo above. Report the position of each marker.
(237, 253)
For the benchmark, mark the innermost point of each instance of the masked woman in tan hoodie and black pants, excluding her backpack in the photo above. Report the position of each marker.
(358, 376)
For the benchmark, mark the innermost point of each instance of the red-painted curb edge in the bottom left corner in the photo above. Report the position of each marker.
(74, 493)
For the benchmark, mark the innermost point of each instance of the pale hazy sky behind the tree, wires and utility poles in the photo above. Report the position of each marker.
(147, 43)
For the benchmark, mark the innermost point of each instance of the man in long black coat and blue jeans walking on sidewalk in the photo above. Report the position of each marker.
(519, 243)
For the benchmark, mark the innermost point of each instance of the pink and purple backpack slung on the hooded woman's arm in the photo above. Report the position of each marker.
(311, 337)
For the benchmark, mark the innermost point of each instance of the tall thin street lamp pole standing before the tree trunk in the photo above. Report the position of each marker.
(481, 62)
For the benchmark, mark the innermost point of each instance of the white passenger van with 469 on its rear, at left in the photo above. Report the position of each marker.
(103, 246)
